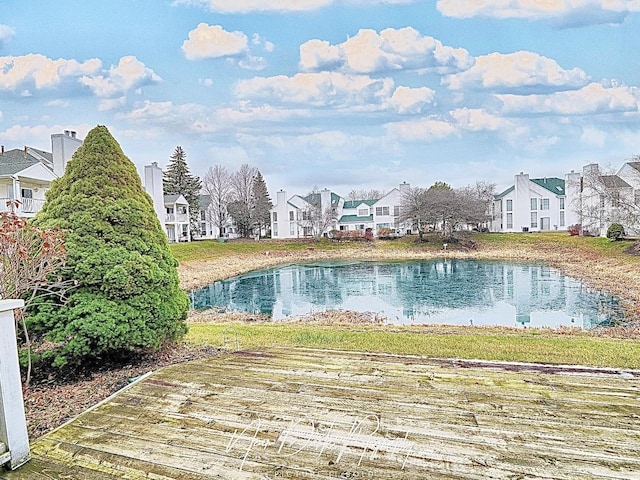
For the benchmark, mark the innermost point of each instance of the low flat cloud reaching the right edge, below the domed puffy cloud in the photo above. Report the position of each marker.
(591, 99)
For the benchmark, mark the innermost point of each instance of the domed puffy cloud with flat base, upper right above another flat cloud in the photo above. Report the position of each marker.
(522, 69)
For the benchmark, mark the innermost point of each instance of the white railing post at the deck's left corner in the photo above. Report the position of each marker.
(13, 426)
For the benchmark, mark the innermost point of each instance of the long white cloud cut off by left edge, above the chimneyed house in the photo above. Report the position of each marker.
(35, 70)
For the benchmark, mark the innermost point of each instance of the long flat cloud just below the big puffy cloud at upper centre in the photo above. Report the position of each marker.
(317, 89)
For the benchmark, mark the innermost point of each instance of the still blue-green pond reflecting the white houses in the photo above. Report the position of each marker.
(443, 291)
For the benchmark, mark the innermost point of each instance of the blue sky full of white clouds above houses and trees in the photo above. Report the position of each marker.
(339, 94)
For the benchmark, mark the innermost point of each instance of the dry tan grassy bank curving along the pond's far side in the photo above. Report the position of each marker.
(614, 275)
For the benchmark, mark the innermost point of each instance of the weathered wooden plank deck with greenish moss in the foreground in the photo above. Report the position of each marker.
(309, 414)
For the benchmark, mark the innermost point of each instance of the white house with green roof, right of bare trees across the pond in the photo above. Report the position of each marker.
(532, 205)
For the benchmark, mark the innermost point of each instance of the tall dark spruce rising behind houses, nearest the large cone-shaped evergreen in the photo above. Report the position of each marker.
(178, 181)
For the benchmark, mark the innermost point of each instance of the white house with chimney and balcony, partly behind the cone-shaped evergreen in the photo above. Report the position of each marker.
(26, 174)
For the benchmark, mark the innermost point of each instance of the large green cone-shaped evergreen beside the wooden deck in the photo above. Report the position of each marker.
(127, 297)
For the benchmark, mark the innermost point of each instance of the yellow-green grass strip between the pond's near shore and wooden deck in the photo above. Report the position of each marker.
(470, 343)
